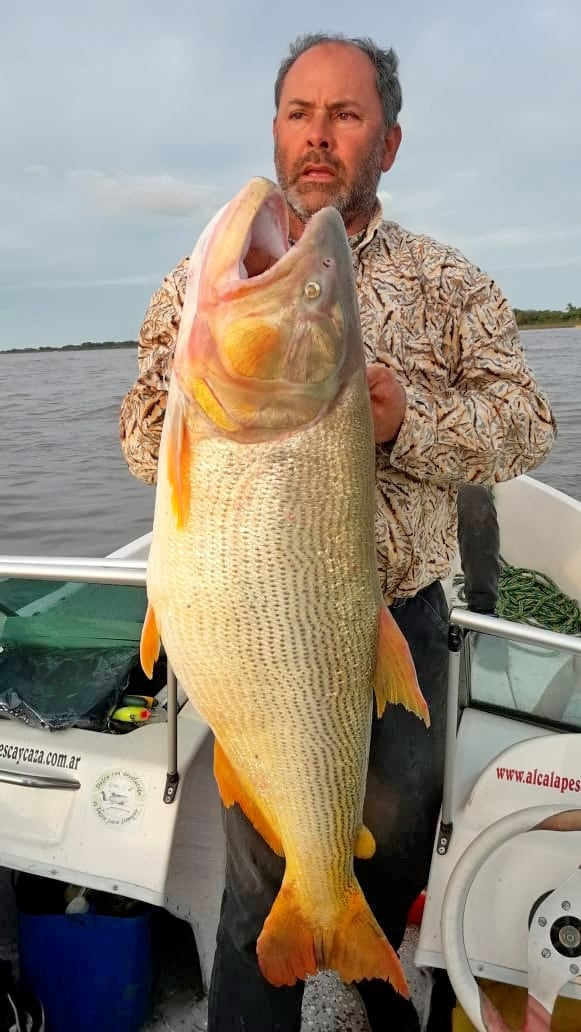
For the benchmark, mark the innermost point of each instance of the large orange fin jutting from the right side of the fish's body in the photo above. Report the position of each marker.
(395, 680)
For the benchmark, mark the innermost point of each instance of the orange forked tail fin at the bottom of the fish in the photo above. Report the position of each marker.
(294, 945)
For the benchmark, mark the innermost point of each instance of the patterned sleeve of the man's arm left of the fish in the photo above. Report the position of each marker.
(143, 408)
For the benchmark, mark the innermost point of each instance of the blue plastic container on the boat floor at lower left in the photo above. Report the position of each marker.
(92, 974)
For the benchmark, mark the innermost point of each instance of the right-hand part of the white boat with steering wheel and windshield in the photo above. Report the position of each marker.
(503, 906)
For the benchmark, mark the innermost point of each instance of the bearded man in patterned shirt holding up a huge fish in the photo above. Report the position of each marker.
(454, 402)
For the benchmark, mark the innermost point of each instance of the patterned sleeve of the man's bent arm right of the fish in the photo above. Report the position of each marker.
(495, 423)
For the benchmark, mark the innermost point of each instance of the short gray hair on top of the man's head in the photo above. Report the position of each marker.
(385, 63)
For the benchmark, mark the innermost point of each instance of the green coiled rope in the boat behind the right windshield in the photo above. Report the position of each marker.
(530, 597)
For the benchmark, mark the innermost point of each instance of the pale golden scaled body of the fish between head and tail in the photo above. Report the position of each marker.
(303, 637)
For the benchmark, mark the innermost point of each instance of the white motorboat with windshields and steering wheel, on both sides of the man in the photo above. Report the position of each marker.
(138, 815)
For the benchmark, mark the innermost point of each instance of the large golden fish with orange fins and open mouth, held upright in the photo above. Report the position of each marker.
(263, 582)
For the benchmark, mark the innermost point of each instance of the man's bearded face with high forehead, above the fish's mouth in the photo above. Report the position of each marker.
(331, 142)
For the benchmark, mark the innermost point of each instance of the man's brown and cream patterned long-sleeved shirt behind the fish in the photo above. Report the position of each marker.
(474, 410)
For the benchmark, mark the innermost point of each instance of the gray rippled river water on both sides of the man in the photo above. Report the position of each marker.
(67, 490)
